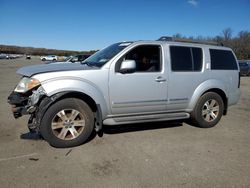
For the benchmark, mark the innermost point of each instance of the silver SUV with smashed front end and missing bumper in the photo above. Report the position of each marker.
(128, 82)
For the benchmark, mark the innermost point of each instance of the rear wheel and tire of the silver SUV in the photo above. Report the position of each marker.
(208, 110)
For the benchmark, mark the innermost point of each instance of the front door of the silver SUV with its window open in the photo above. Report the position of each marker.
(143, 90)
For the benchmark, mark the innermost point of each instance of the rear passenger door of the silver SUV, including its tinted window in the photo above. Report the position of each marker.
(185, 75)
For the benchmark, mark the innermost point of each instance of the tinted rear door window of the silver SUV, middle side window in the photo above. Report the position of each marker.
(185, 58)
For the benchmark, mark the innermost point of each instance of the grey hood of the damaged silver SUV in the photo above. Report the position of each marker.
(35, 69)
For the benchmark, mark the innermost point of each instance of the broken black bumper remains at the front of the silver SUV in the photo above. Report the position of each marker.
(18, 103)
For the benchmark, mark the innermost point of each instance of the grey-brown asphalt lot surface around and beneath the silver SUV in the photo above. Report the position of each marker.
(166, 154)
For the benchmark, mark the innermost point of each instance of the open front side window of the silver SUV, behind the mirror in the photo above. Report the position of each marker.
(147, 58)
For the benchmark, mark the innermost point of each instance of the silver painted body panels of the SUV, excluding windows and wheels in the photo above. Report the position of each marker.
(140, 92)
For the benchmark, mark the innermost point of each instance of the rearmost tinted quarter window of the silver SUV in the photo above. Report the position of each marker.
(222, 60)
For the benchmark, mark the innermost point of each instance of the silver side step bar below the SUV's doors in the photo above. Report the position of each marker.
(145, 118)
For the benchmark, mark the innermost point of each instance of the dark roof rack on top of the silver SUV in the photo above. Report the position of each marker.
(173, 39)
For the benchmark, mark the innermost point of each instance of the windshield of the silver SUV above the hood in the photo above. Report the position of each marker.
(103, 56)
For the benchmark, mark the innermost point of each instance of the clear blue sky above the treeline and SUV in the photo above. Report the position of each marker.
(90, 25)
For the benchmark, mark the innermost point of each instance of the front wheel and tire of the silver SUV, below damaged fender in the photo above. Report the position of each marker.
(67, 123)
